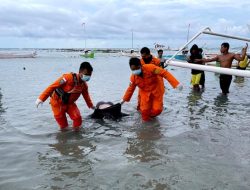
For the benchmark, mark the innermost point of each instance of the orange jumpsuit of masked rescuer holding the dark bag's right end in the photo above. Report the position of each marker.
(151, 92)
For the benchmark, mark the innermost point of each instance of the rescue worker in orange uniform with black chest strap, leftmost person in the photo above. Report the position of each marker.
(63, 94)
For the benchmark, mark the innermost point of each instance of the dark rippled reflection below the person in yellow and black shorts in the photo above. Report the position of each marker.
(196, 109)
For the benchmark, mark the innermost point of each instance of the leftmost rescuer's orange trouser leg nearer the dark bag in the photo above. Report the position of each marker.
(75, 115)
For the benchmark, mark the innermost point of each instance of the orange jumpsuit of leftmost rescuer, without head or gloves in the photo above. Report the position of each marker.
(75, 88)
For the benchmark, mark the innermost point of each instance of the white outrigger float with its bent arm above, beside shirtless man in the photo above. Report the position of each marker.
(228, 71)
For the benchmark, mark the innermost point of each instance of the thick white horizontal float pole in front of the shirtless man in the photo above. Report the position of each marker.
(228, 71)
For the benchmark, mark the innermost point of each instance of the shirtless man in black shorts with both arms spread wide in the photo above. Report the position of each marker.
(226, 58)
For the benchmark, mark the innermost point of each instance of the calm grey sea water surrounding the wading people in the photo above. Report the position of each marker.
(200, 141)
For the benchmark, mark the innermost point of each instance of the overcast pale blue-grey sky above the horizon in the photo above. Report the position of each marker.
(109, 23)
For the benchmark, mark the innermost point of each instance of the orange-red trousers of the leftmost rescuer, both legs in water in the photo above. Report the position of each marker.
(60, 115)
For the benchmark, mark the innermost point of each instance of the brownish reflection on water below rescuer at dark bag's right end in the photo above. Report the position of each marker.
(143, 147)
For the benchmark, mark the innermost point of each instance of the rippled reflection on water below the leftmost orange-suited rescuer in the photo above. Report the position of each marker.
(68, 159)
